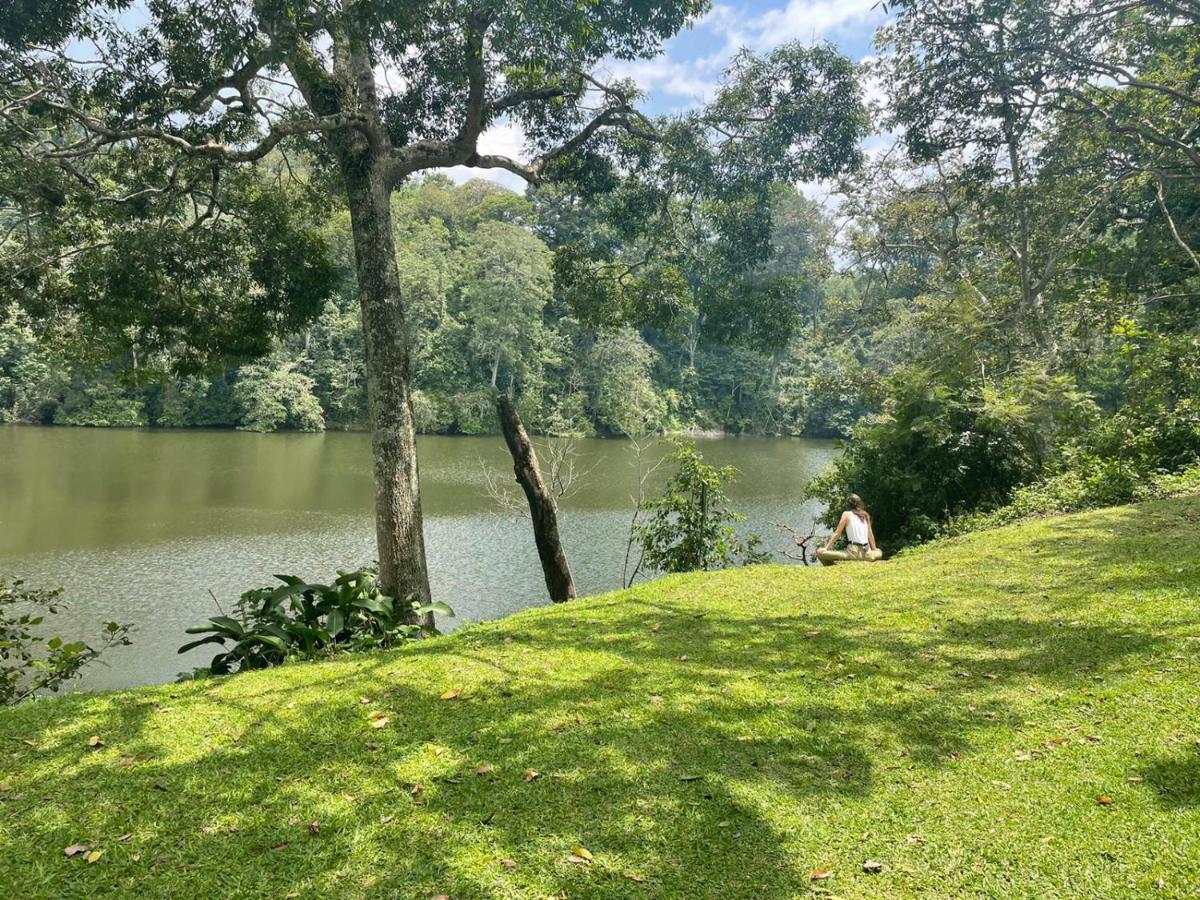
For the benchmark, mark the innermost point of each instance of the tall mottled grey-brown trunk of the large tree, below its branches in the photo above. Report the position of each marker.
(404, 573)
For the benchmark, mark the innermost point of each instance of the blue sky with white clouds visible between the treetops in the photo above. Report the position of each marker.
(691, 67)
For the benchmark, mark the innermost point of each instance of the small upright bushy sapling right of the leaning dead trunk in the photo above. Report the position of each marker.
(691, 525)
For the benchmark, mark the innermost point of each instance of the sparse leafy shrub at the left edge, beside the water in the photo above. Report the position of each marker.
(32, 663)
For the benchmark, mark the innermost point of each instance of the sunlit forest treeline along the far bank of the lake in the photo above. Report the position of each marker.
(477, 263)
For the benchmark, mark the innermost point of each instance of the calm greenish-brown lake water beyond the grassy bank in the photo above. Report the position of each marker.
(139, 526)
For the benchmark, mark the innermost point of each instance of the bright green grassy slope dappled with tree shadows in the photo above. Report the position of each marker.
(953, 716)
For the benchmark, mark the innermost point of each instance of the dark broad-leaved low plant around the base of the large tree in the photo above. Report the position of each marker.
(302, 621)
